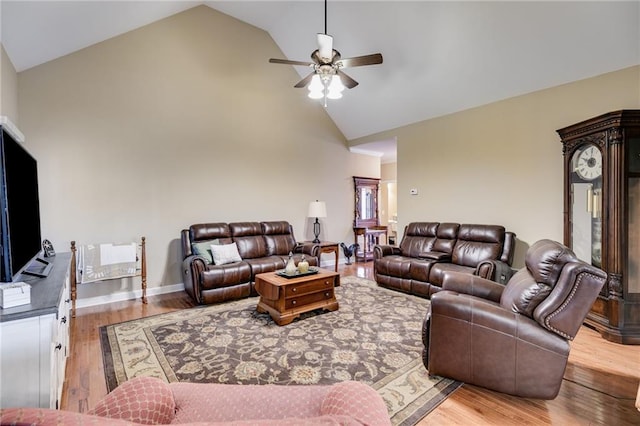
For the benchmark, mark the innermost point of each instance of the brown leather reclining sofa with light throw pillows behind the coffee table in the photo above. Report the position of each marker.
(262, 246)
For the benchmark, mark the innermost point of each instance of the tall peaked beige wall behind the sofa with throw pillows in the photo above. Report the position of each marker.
(183, 121)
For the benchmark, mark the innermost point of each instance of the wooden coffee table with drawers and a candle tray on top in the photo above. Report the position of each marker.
(286, 298)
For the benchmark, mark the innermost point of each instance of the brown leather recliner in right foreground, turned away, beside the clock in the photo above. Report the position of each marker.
(514, 338)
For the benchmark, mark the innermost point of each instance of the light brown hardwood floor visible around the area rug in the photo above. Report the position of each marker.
(599, 386)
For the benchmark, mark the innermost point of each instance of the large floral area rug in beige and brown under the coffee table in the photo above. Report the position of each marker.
(374, 337)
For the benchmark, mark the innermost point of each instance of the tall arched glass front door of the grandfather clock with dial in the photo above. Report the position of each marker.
(586, 204)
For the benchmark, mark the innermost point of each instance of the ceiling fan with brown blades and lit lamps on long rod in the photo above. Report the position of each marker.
(327, 80)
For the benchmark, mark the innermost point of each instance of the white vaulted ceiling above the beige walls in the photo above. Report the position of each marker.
(439, 57)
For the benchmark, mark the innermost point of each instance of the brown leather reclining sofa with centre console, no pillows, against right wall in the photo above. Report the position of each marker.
(430, 249)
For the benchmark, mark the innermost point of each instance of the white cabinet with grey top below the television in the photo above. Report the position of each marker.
(34, 341)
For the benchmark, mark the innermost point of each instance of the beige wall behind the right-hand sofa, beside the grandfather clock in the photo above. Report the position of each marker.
(501, 163)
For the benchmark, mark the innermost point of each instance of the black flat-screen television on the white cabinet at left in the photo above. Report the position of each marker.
(20, 207)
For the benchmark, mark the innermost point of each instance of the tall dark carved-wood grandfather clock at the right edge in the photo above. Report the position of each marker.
(602, 215)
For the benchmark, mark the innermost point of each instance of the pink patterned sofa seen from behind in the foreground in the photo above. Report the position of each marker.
(151, 401)
